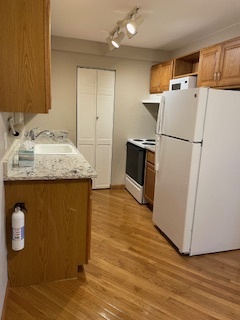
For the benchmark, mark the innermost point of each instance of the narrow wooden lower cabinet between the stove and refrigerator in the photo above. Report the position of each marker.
(149, 177)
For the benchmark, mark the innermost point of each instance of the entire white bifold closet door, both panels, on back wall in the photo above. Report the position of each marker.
(95, 105)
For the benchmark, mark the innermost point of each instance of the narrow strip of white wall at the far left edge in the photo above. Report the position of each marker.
(3, 250)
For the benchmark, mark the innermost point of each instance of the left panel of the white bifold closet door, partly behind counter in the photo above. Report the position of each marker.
(86, 113)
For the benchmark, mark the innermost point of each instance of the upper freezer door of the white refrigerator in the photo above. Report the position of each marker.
(184, 113)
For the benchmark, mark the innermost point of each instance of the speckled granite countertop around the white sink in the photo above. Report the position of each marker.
(47, 167)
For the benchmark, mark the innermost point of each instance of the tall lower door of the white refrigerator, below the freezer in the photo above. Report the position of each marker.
(175, 190)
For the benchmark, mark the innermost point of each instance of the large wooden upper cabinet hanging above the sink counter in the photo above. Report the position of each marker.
(25, 56)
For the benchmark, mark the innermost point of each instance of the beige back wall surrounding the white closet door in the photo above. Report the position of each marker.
(131, 117)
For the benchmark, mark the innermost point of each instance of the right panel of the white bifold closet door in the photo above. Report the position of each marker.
(104, 127)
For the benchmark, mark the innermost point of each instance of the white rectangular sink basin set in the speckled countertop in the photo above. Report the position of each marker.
(64, 148)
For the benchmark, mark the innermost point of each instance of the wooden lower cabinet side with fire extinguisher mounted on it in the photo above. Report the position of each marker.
(57, 229)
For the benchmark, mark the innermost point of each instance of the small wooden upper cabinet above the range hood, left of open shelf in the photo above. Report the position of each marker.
(160, 76)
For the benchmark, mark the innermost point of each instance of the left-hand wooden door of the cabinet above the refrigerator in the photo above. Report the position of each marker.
(209, 66)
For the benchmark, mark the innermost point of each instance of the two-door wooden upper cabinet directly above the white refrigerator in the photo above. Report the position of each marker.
(219, 65)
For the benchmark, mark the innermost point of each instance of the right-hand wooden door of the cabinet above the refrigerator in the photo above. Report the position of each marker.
(229, 74)
